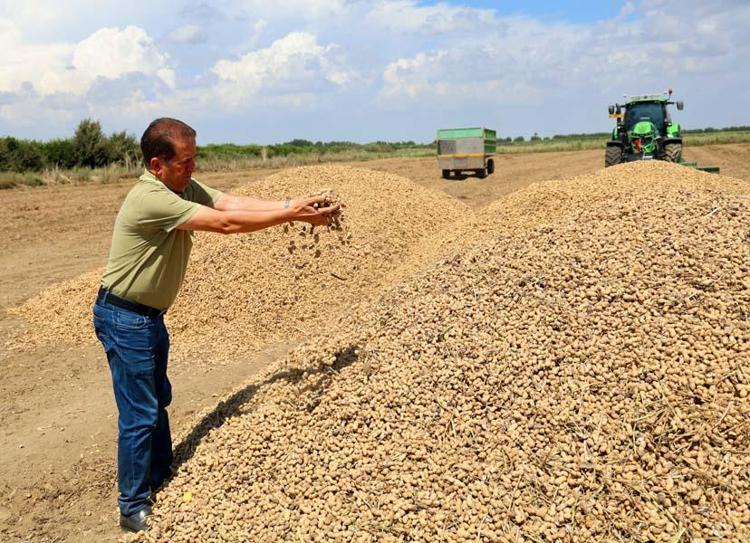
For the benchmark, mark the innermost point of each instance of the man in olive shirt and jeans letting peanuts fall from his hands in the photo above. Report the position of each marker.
(151, 244)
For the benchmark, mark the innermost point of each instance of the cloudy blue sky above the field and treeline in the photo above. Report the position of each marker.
(252, 71)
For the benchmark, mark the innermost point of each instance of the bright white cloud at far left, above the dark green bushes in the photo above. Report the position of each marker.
(111, 72)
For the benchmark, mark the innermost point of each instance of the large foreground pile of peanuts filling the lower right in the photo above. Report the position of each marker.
(574, 365)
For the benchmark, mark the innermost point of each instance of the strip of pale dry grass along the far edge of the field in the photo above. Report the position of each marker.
(231, 158)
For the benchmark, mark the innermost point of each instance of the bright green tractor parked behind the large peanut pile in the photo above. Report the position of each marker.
(644, 130)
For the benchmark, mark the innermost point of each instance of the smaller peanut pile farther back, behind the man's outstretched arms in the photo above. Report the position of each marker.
(244, 292)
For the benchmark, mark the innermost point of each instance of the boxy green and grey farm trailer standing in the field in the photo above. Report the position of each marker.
(462, 150)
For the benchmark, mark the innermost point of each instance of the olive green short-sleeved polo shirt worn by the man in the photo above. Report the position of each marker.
(149, 255)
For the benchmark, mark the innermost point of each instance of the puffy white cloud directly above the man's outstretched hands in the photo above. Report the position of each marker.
(293, 66)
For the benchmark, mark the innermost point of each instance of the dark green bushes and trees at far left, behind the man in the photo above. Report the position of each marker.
(89, 148)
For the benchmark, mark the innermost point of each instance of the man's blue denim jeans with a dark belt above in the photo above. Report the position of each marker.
(137, 348)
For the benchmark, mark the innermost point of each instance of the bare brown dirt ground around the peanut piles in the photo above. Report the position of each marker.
(58, 417)
